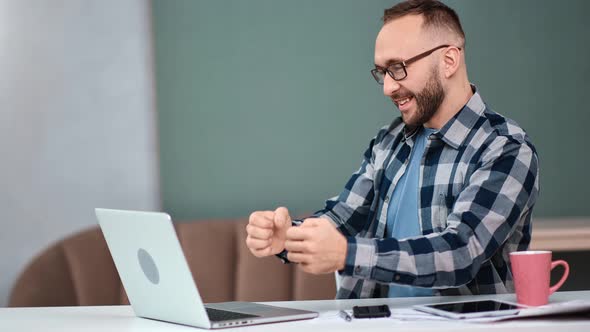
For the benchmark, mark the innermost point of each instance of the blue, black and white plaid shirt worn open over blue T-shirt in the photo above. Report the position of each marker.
(478, 185)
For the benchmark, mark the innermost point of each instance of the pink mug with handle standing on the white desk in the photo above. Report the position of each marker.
(531, 271)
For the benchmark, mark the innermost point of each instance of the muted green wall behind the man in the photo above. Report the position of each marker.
(271, 102)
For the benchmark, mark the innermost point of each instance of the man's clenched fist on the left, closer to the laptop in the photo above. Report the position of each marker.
(266, 231)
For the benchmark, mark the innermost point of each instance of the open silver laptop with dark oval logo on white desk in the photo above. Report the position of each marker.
(157, 279)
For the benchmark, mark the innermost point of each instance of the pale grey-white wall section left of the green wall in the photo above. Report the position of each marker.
(77, 120)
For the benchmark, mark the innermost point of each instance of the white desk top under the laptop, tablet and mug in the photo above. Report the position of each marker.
(121, 318)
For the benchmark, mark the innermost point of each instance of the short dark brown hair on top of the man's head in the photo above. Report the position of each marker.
(436, 15)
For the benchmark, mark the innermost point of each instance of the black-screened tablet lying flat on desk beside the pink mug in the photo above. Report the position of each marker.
(471, 309)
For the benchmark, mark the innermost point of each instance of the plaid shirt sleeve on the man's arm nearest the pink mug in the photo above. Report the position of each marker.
(497, 196)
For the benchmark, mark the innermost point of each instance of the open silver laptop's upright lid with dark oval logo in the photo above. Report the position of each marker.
(152, 267)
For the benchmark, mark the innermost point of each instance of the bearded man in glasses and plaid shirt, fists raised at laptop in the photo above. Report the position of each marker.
(445, 192)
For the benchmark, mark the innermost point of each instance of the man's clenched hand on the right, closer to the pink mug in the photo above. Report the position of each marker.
(317, 245)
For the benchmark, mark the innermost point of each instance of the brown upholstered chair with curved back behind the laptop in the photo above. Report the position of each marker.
(79, 270)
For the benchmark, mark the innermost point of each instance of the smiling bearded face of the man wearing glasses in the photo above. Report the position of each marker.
(420, 94)
